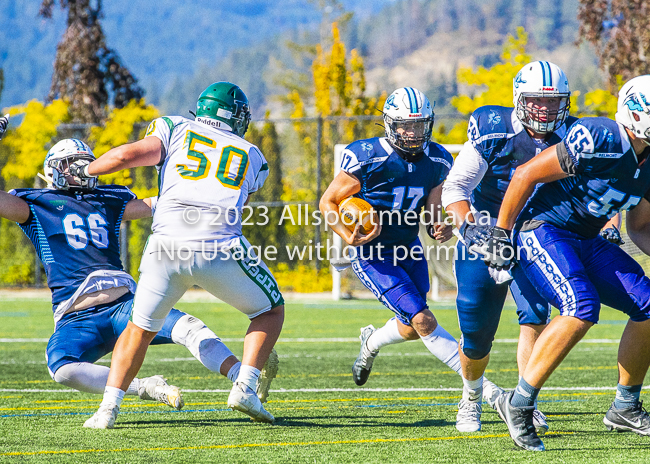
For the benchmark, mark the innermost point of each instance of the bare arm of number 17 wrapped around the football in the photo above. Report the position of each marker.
(343, 186)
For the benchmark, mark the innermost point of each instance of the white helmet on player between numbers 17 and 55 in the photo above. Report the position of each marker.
(546, 80)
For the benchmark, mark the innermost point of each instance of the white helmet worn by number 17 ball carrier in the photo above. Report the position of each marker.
(410, 110)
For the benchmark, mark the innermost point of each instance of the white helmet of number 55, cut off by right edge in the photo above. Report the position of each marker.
(633, 109)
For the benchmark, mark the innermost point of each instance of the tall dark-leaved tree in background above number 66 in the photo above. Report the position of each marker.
(87, 73)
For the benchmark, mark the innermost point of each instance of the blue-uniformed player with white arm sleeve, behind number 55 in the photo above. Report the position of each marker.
(500, 139)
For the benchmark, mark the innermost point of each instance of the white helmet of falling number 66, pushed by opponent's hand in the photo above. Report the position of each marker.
(59, 159)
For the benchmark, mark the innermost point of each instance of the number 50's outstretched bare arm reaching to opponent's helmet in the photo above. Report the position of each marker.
(145, 152)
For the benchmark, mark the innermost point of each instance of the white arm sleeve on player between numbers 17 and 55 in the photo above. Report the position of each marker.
(466, 173)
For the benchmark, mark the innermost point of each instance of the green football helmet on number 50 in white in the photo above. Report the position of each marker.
(225, 106)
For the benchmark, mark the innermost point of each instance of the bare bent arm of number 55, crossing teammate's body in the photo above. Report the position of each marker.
(543, 168)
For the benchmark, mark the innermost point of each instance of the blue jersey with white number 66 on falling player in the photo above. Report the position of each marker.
(75, 233)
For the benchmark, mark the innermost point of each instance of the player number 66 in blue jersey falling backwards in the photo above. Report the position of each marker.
(74, 226)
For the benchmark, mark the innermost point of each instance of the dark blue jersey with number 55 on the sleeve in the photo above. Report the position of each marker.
(604, 178)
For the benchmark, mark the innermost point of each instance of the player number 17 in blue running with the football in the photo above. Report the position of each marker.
(398, 175)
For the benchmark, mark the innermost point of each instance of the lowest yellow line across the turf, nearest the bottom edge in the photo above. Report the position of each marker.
(260, 445)
